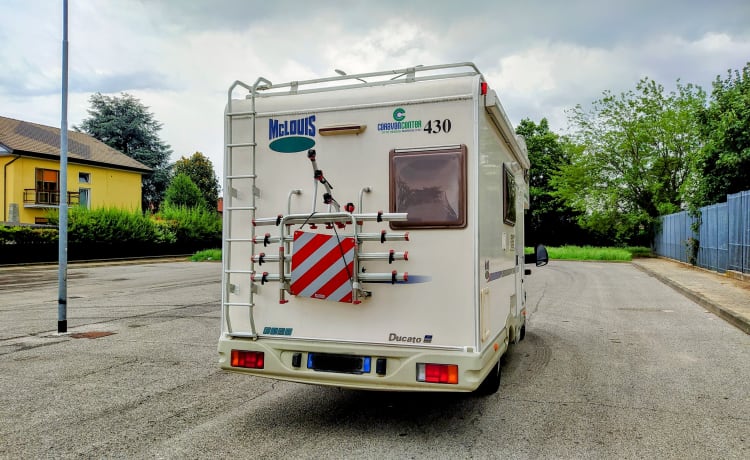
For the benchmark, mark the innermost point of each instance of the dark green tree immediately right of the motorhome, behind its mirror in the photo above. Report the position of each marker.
(550, 220)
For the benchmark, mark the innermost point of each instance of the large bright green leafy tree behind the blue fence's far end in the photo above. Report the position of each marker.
(632, 159)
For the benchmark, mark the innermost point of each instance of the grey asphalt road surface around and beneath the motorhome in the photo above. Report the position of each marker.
(614, 365)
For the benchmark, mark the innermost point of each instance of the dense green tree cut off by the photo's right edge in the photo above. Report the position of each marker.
(723, 165)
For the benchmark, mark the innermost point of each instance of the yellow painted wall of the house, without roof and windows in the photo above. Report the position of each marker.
(109, 188)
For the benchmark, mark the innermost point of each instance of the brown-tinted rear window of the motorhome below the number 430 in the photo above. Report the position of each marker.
(430, 186)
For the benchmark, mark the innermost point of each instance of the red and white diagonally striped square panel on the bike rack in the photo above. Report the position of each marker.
(322, 266)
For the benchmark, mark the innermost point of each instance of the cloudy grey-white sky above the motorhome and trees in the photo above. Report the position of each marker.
(179, 57)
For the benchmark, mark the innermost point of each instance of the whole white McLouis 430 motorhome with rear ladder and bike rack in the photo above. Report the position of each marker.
(373, 231)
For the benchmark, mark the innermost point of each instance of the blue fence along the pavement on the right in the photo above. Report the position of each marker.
(724, 235)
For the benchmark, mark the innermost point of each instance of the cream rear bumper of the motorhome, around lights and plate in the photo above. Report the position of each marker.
(400, 363)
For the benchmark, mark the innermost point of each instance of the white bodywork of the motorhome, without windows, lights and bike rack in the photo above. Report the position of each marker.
(462, 302)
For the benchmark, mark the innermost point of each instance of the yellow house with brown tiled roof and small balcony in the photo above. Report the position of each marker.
(98, 175)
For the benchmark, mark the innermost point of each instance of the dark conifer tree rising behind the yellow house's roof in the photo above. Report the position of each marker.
(125, 124)
